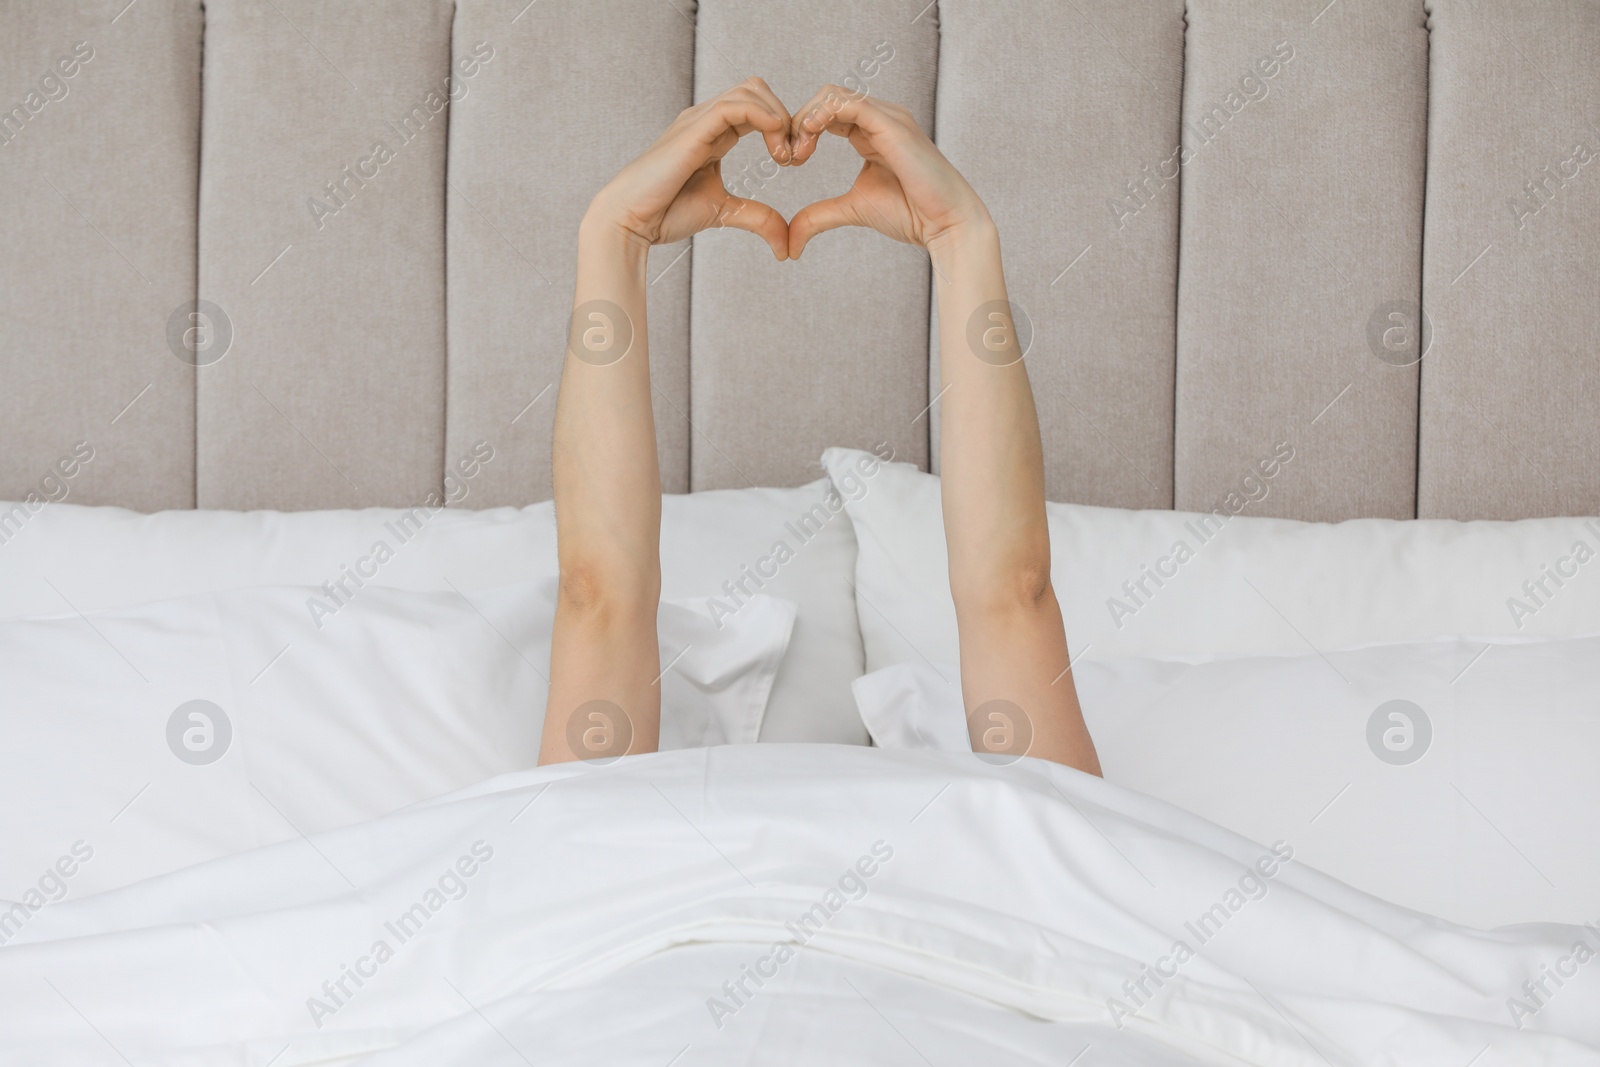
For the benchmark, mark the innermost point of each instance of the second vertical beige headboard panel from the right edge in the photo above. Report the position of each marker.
(1302, 223)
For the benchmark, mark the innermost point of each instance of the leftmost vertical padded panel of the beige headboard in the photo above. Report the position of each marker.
(100, 111)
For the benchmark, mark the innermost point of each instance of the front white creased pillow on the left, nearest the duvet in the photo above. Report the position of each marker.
(398, 698)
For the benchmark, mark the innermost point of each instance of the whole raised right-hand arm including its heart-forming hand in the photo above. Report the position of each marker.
(1015, 665)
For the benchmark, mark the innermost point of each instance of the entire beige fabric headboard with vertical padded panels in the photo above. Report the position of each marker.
(1225, 218)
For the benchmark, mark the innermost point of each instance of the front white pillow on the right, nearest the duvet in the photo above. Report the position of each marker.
(1482, 809)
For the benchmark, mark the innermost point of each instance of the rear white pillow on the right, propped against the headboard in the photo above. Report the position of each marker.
(1254, 586)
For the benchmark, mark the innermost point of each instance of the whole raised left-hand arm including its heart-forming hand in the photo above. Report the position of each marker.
(606, 663)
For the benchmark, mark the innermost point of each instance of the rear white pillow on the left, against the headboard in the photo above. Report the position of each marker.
(110, 557)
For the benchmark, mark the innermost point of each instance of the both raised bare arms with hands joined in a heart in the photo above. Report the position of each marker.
(606, 661)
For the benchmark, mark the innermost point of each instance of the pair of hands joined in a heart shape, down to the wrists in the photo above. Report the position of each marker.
(906, 188)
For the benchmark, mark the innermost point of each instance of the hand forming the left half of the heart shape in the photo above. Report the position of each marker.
(674, 190)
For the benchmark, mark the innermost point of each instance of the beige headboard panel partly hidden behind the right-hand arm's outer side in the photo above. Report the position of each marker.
(1060, 114)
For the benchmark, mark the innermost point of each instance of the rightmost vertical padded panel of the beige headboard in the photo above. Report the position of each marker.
(1511, 391)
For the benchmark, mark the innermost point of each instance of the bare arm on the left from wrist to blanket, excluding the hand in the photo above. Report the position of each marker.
(607, 503)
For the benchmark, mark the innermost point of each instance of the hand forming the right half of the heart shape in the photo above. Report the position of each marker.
(906, 188)
